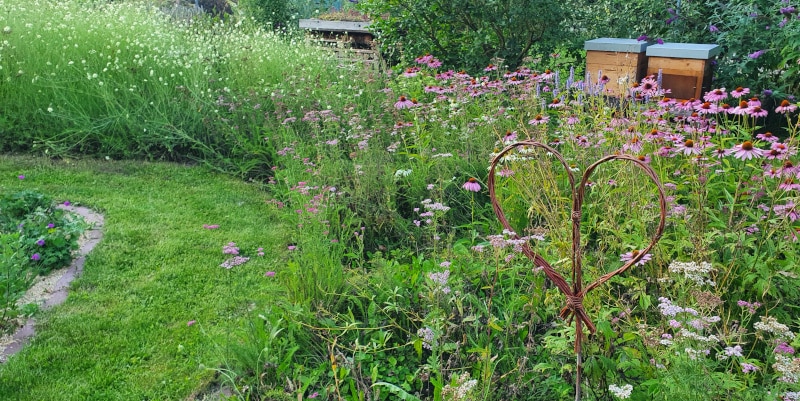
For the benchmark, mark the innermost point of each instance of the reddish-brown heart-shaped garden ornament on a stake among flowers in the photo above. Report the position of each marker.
(576, 292)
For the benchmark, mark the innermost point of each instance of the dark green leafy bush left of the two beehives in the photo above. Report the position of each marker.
(465, 33)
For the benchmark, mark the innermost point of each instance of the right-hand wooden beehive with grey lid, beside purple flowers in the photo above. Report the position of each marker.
(685, 67)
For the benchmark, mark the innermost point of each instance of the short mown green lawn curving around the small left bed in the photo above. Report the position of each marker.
(123, 332)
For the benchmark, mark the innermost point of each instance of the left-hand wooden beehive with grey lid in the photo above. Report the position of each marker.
(623, 61)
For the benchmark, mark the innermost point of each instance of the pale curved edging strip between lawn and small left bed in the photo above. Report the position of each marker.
(51, 290)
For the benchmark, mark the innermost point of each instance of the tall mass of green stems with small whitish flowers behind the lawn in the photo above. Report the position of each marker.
(121, 80)
